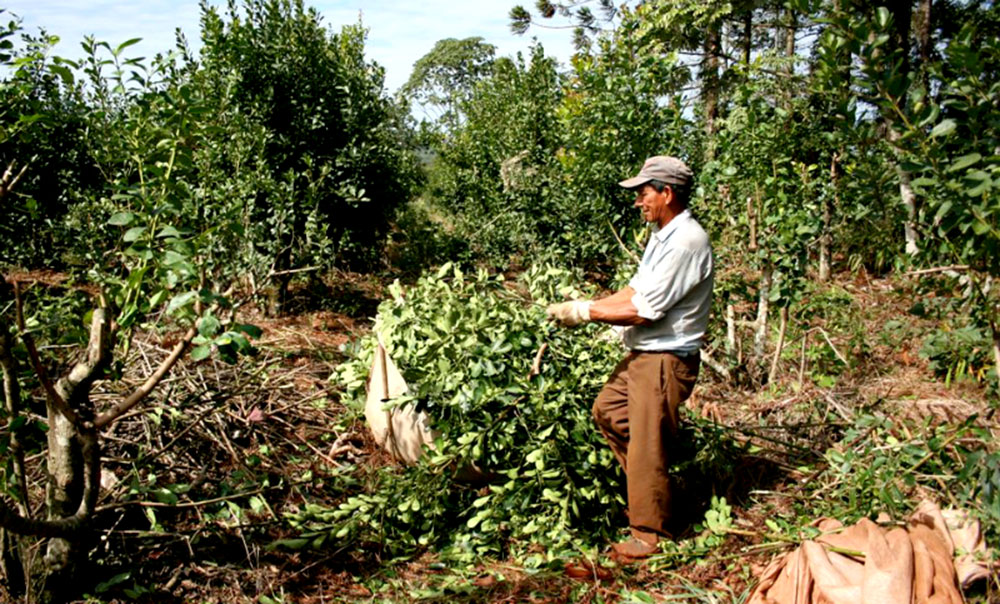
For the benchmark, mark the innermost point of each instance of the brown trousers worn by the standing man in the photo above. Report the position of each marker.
(638, 413)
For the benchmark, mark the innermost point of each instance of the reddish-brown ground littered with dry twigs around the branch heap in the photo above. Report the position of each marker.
(196, 482)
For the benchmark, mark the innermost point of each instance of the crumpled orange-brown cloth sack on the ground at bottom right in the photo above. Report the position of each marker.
(925, 562)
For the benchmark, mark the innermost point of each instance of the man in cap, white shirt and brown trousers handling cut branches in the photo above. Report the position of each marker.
(665, 308)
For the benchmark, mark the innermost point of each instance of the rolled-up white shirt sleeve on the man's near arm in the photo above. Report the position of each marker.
(661, 285)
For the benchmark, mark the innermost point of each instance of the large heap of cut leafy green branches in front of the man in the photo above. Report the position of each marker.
(466, 346)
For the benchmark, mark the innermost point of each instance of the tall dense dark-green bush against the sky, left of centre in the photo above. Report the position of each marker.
(335, 160)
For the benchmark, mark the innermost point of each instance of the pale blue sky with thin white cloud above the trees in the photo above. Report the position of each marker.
(400, 31)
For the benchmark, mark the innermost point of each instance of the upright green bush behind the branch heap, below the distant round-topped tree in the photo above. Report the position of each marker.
(495, 174)
